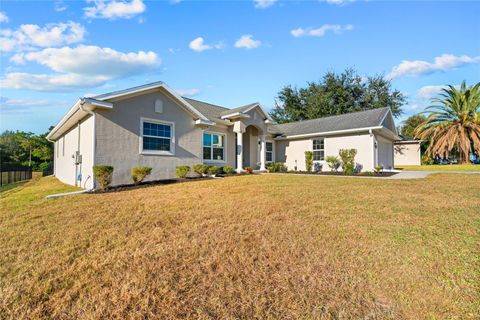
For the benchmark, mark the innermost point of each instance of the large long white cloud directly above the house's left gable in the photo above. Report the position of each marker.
(93, 61)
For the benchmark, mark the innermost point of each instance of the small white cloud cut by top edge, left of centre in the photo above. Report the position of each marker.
(114, 9)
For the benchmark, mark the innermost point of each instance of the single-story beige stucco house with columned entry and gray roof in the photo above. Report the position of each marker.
(151, 125)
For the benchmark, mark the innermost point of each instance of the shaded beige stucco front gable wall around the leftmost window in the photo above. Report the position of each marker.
(118, 138)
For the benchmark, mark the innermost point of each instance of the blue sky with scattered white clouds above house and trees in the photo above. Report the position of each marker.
(229, 53)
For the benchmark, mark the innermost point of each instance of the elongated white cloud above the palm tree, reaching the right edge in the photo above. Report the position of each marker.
(444, 62)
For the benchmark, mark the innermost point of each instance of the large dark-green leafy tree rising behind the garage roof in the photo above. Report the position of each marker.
(336, 94)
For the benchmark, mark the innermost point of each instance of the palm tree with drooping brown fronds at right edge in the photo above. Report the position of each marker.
(453, 122)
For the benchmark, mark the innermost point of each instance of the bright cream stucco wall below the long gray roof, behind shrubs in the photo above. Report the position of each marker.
(292, 152)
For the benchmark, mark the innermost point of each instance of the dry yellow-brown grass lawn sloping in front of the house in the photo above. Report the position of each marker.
(264, 246)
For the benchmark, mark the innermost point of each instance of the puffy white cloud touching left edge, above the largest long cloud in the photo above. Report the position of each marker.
(28, 36)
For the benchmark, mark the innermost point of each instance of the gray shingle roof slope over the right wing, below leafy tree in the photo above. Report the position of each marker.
(354, 120)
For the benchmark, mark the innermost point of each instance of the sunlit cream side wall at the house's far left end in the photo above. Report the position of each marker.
(66, 146)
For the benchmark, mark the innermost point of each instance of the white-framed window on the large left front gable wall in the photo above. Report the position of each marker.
(157, 137)
